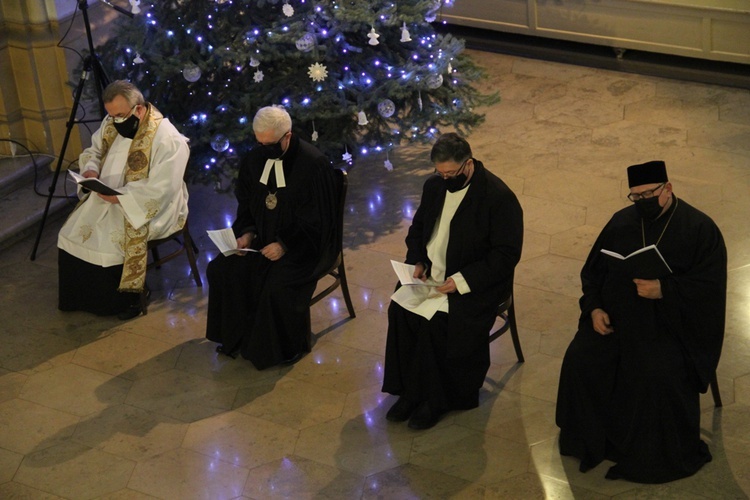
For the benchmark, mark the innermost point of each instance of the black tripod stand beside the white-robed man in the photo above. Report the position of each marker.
(91, 66)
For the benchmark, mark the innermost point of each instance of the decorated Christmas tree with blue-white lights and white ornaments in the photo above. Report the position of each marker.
(357, 77)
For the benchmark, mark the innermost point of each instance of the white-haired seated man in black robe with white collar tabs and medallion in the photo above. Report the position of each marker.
(258, 302)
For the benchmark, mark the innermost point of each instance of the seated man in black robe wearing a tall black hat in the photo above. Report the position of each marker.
(645, 348)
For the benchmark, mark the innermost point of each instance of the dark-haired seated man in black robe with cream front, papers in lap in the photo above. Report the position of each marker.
(466, 236)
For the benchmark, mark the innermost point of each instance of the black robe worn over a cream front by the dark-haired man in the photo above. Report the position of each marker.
(444, 360)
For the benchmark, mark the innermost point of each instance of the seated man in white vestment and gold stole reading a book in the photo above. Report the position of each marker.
(102, 246)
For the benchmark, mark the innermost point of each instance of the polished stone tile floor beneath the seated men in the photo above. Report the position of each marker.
(97, 408)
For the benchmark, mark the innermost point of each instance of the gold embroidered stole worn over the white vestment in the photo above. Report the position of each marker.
(136, 240)
